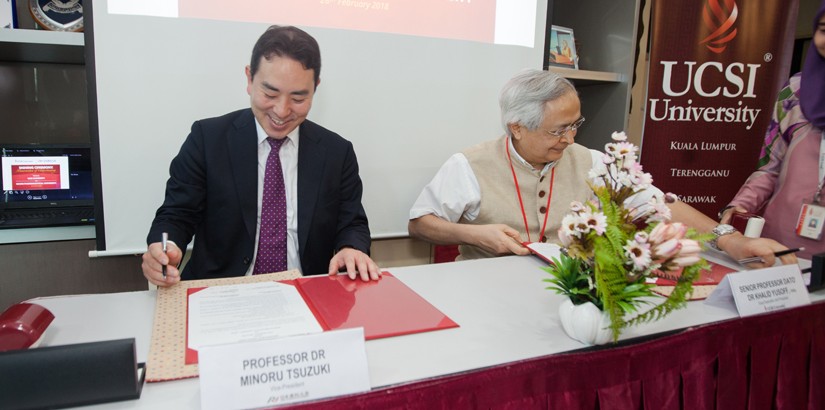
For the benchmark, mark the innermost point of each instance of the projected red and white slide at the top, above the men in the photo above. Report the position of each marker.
(489, 21)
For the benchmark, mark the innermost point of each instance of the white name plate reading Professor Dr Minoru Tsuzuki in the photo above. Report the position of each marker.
(281, 371)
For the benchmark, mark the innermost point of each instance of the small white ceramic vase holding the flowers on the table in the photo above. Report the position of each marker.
(585, 322)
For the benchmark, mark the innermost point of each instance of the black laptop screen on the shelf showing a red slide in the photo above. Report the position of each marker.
(46, 176)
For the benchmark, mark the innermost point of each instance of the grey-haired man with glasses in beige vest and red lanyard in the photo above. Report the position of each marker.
(495, 196)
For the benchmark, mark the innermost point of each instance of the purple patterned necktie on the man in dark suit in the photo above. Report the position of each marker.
(272, 242)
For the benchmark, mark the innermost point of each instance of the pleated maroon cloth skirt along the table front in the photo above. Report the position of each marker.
(769, 361)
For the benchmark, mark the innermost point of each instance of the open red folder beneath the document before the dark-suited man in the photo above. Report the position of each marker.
(384, 308)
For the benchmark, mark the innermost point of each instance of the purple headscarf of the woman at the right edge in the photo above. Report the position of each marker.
(812, 87)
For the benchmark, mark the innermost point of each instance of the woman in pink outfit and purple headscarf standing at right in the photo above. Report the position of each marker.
(787, 189)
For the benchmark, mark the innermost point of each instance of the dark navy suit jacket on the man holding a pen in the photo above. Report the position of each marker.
(212, 194)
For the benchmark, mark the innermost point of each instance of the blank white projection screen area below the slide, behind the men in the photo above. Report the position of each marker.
(405, 102)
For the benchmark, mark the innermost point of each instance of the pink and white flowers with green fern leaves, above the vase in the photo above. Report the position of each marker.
(612, 247)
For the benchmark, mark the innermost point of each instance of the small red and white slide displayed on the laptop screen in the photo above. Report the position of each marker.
(24, 173)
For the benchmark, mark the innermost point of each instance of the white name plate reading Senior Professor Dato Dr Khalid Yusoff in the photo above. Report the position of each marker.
(761, 291)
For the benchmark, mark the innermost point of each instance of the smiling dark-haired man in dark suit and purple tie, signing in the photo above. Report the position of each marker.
(216, 184)
